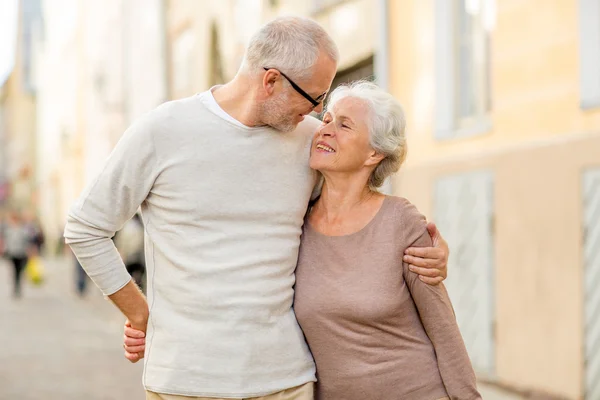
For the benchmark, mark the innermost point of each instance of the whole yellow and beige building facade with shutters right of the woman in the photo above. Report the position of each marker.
(503, 106)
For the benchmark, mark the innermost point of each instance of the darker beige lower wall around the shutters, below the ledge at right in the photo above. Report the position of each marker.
(537, 255)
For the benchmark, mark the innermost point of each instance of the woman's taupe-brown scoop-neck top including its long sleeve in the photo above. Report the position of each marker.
(375, 330)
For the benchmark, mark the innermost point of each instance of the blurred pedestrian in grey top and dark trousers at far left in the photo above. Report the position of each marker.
(17, 245)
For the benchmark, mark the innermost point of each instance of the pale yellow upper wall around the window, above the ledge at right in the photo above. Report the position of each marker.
(535, 76)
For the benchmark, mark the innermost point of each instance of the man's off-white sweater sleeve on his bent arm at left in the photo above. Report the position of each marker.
(108, 202)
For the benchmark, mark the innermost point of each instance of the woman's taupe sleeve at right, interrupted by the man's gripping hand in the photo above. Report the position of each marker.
(438, 318)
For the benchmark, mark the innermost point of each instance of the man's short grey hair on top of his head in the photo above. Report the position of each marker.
(291, 44)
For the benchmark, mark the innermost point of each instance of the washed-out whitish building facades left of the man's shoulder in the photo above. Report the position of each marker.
(83, 72)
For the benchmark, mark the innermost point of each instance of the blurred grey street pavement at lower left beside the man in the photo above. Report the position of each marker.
(55, 345)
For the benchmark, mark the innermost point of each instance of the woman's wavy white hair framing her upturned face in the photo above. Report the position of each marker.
(386, 124)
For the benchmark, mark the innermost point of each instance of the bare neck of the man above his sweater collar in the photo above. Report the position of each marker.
(238, 99)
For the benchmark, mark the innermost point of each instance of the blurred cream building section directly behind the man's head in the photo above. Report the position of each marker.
(206, 41)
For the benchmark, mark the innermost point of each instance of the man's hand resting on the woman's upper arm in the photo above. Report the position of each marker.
(430, 263)
